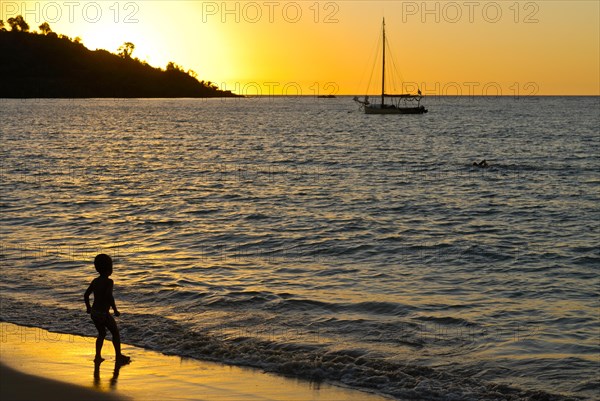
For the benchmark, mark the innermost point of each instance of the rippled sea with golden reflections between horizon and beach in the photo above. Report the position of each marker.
(300, 236)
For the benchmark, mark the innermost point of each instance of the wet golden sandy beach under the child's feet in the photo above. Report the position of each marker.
(40, 365)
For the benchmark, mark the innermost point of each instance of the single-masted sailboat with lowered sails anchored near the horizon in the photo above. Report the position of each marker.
(399, 104)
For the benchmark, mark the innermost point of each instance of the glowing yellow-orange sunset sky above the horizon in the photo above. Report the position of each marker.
(275, 47)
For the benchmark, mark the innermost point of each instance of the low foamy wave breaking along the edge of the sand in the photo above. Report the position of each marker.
(354, 367)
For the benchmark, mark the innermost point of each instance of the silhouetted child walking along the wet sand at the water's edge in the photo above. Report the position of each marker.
(102, 287)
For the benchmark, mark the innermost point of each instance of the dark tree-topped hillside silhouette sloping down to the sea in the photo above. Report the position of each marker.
(47, 65)
